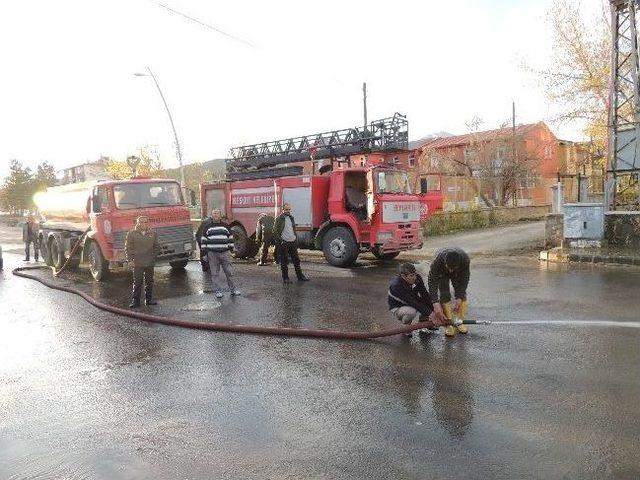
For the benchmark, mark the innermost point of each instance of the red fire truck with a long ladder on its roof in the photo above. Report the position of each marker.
(341, 209)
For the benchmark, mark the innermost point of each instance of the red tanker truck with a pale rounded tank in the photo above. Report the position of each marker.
(107, 210)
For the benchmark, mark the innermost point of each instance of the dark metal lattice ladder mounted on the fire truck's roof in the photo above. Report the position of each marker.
(384, 135)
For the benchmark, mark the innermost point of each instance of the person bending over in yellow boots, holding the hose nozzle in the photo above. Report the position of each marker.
(450, 265)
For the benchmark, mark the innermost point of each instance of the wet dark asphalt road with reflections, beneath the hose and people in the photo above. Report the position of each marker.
(85, 394)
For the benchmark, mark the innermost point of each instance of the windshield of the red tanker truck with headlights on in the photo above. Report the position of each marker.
(145, 195)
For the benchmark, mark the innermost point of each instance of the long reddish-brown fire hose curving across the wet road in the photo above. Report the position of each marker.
(255, 329)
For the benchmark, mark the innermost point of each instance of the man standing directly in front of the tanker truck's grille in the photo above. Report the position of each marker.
(141, 249)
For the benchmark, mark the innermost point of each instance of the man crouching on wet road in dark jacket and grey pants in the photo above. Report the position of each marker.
(409, 300)
